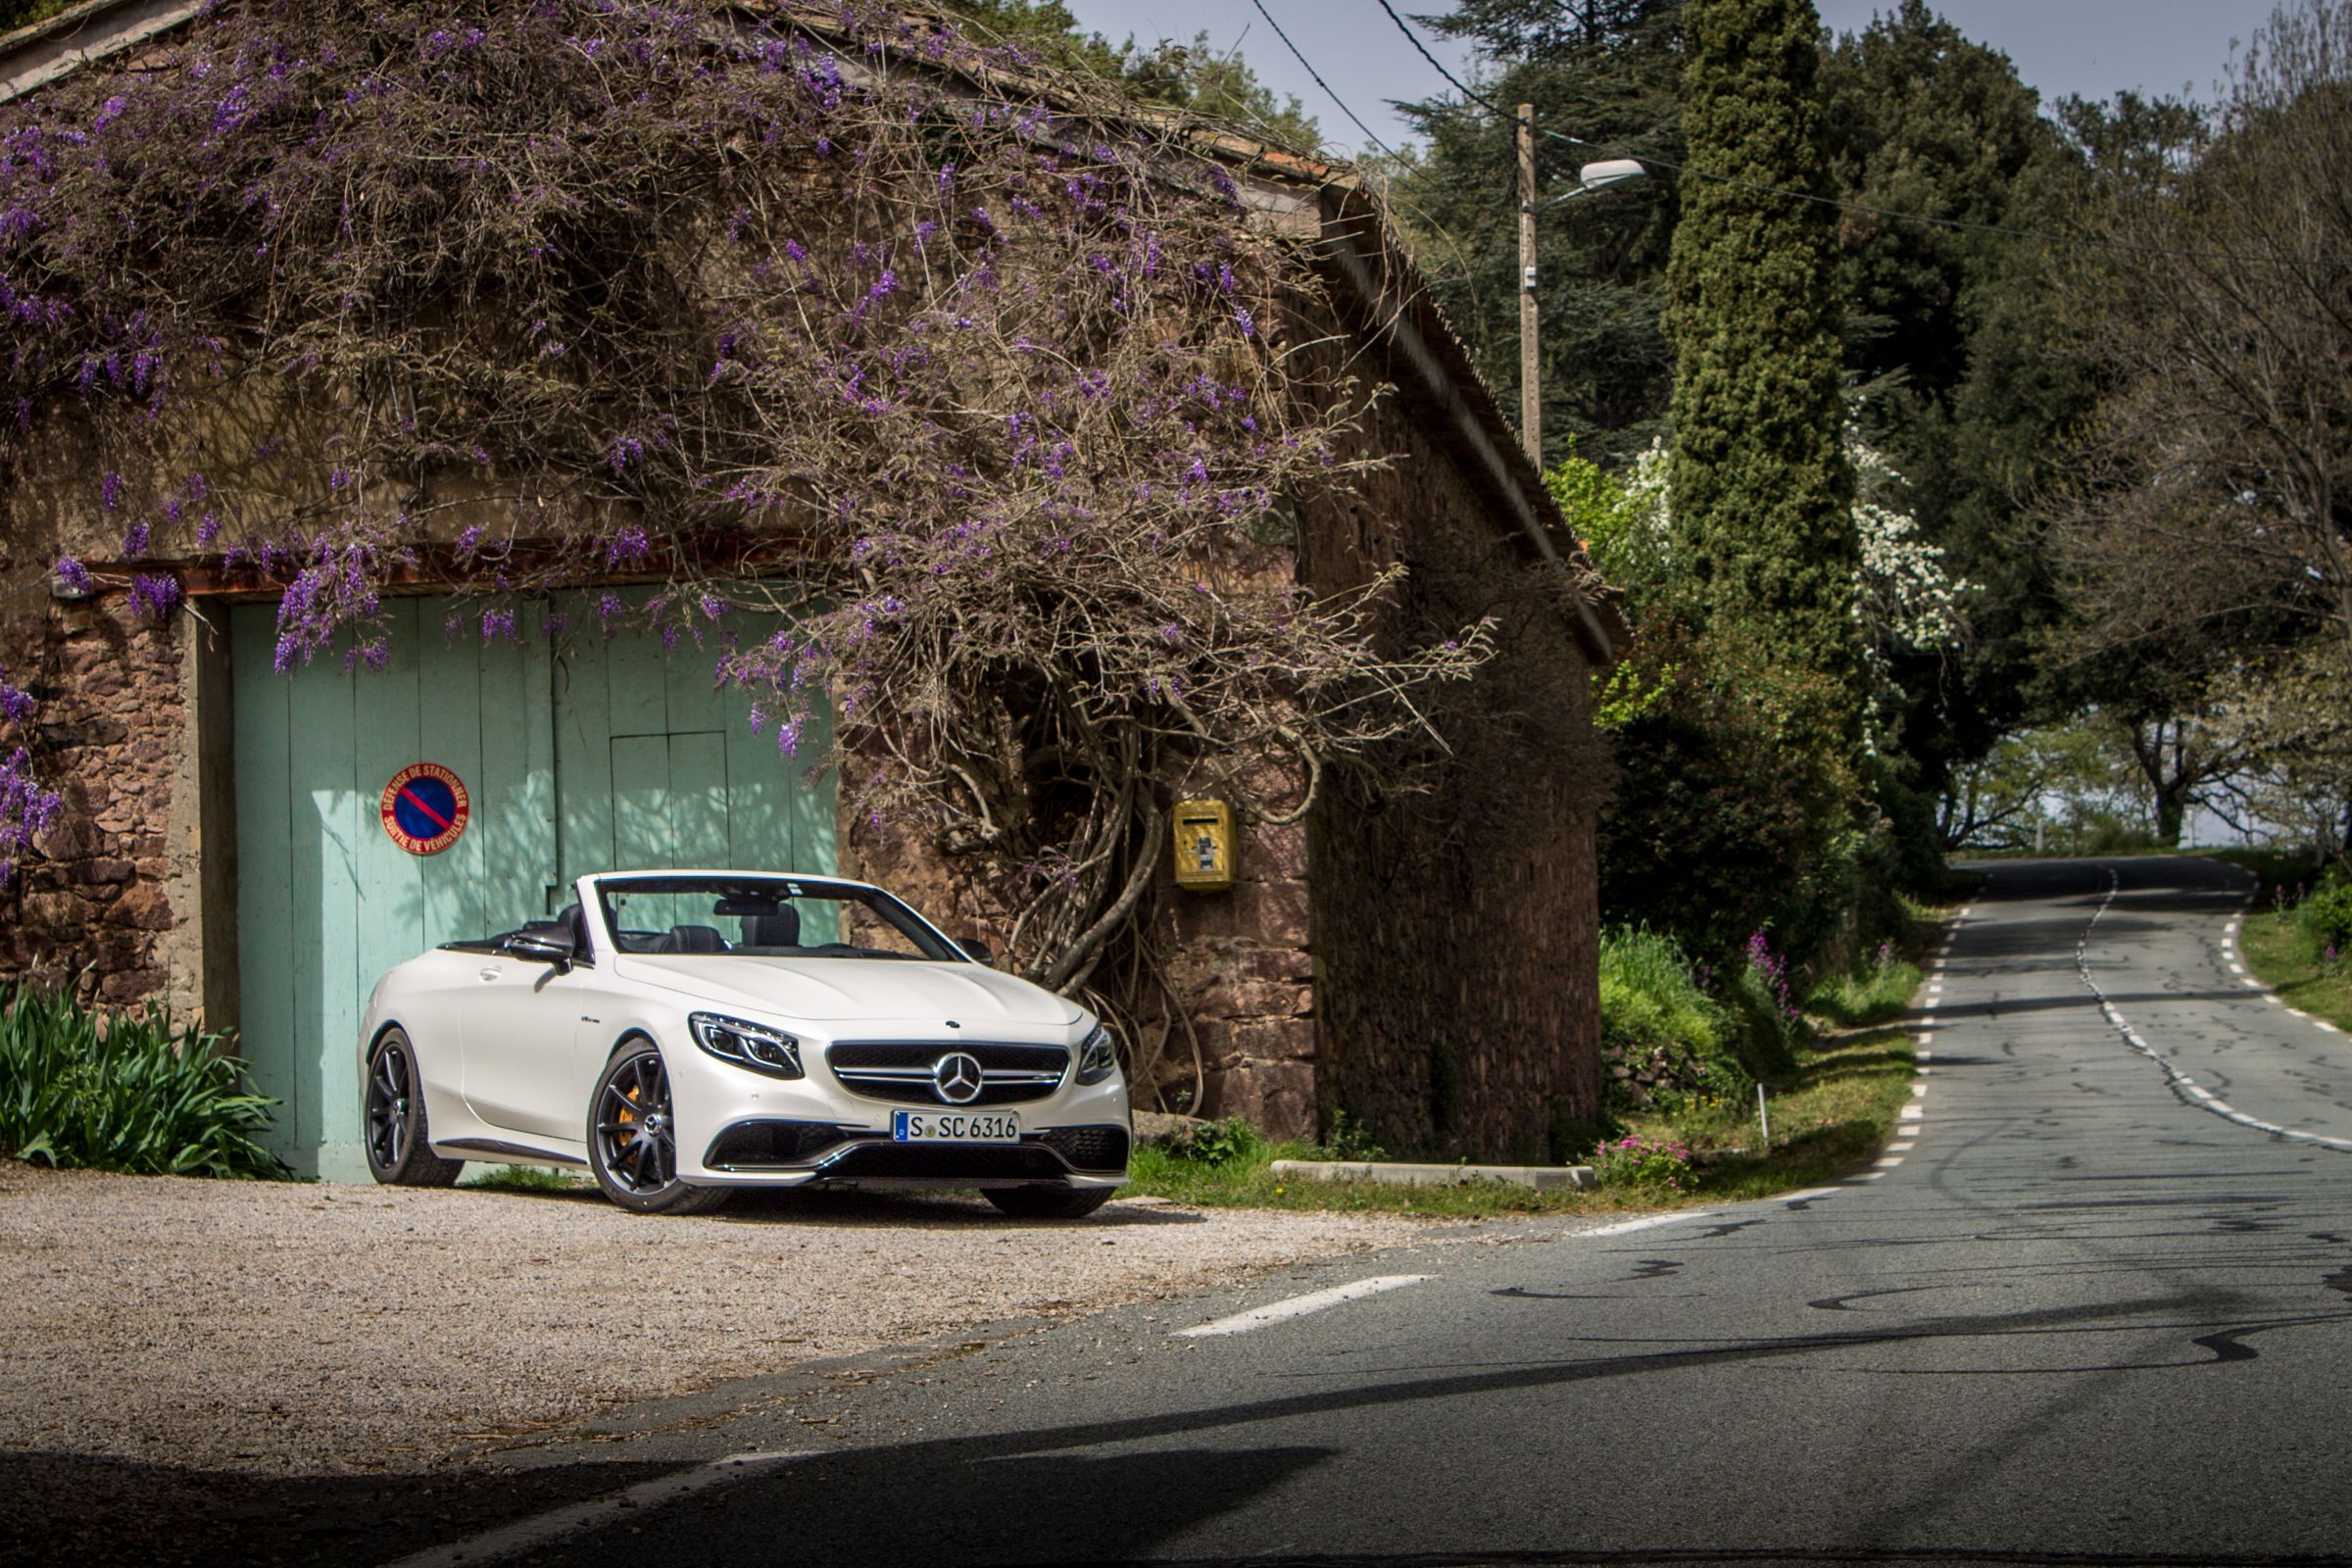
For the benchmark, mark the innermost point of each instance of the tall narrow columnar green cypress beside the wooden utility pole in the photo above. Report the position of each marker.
(1760, 481)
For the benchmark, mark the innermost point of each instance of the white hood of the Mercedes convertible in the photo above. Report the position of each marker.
(855, 989)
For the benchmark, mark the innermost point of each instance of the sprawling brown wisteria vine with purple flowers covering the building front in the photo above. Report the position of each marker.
(987, 387)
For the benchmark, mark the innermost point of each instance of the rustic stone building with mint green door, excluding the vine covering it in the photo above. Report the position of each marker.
(1419, 963)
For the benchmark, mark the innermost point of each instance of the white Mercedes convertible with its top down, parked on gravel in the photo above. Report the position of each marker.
(688, 1033)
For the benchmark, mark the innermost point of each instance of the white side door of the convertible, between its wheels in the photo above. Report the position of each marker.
(521, 1019)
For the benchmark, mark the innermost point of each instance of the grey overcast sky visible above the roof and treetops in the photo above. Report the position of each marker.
(2092, 48)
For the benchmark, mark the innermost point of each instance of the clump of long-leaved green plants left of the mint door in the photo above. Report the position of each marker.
(126, 1092)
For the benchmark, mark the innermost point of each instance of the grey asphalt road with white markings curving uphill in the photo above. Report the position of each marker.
(2078, 1315)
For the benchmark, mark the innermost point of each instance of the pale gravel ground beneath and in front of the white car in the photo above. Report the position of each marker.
(302, 1332)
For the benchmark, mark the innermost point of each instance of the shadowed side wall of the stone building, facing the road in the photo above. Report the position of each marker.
(1457, 930)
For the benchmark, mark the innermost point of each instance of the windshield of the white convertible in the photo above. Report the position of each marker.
(766, 918)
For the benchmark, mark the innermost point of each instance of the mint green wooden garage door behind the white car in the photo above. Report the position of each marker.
(577, 756)
